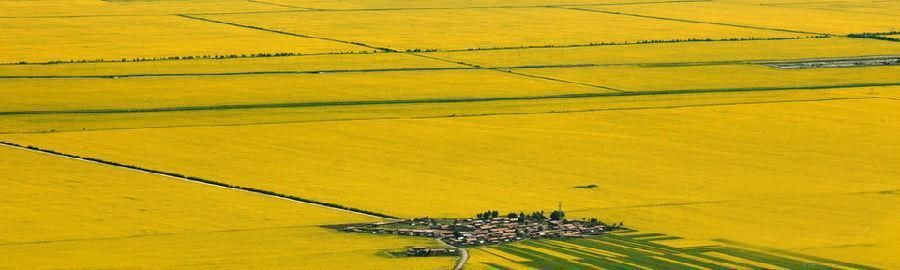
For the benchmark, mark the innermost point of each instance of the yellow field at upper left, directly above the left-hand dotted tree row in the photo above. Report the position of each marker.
(115, 38)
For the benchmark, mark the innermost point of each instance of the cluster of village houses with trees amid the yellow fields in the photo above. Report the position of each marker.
(484, 231)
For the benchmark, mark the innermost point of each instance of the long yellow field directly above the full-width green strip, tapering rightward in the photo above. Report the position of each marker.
(187, 91)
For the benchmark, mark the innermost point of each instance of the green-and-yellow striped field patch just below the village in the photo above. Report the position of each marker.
(645, 250)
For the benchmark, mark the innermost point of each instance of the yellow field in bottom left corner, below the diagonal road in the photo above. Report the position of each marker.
(81, 215)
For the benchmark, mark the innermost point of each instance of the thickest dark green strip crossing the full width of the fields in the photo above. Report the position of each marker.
(450, 100)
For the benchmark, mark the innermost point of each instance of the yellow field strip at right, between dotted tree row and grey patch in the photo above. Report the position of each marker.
(680, 53)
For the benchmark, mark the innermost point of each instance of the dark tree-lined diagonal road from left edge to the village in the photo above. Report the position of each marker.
(203, 181)
